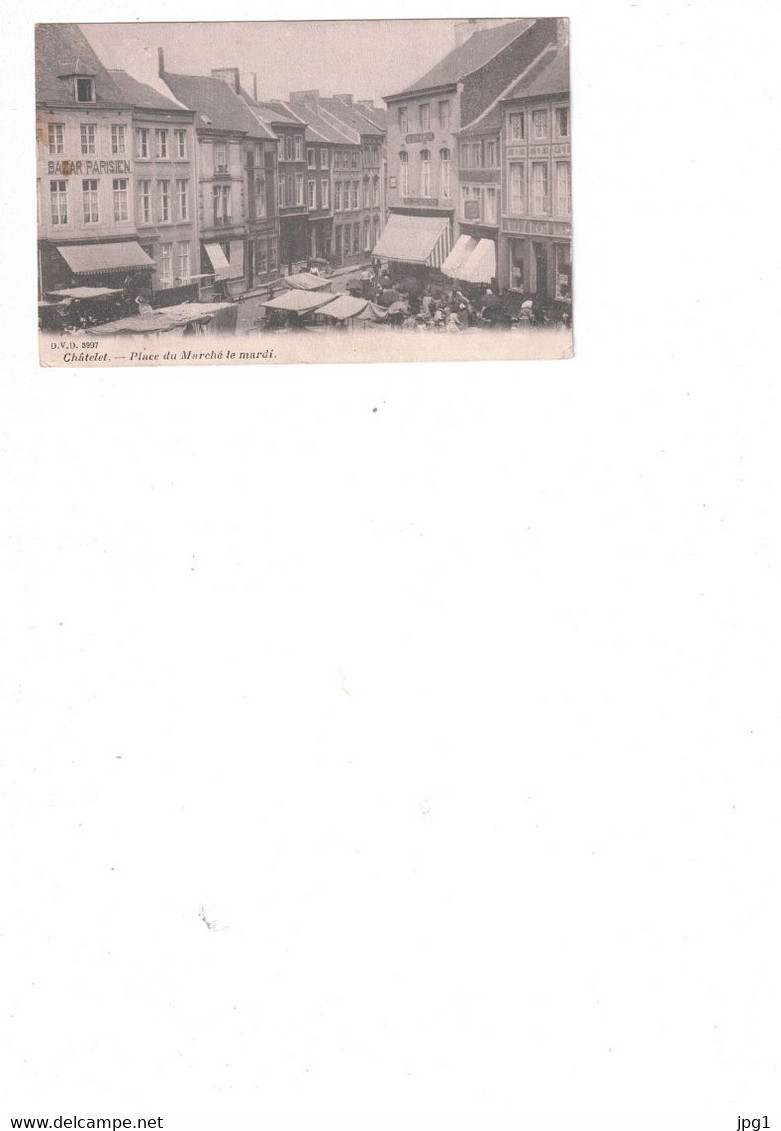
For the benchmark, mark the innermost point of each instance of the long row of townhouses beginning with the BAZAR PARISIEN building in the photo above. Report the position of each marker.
(194, 182)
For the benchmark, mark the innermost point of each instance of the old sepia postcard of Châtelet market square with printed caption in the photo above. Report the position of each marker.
(342, 192)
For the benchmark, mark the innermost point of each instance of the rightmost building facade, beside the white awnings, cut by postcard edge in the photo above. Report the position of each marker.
(536, 225)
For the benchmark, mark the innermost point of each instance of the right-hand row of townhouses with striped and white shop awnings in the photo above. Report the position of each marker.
(480, 162)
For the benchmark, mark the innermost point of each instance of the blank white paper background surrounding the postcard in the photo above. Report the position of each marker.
(458, 719)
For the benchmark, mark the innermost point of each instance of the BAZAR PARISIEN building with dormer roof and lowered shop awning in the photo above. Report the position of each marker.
(88, 235)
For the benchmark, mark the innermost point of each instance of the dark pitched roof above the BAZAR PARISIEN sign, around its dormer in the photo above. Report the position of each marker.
(63, 50)
